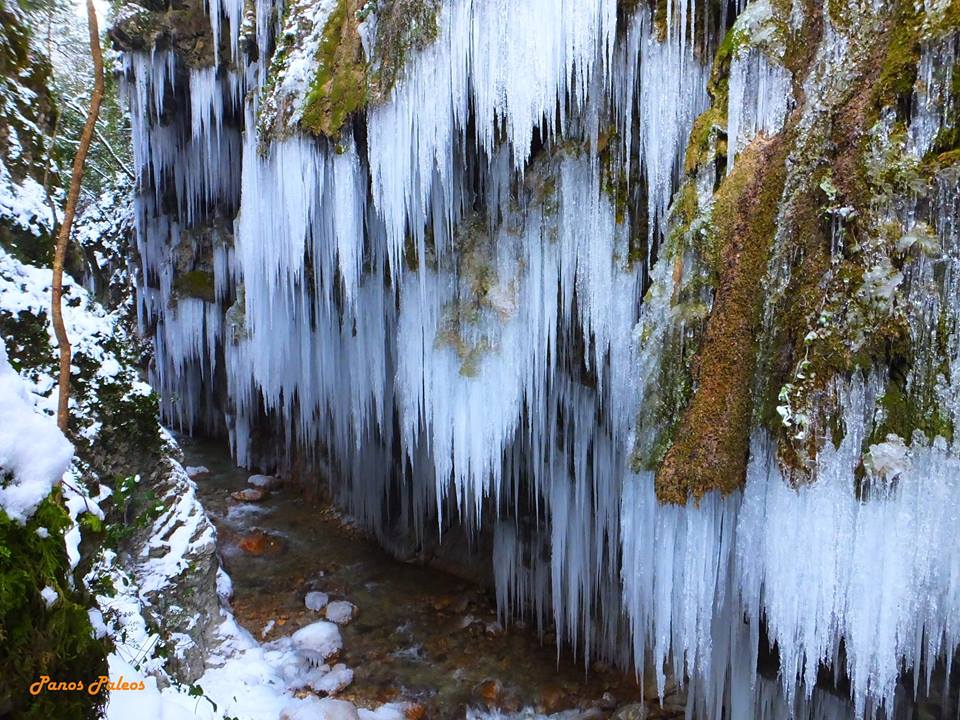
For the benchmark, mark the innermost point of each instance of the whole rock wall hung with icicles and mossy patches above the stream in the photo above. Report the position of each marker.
(483, 297)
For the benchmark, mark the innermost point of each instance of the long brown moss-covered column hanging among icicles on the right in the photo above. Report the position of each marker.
(710, 449)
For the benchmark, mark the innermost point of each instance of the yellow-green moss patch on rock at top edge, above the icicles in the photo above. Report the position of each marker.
(339, 87)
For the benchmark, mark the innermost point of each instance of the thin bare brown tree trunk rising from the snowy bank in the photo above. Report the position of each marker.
(63, 236)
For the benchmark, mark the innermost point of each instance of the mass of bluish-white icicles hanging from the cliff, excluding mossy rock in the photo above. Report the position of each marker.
(366, 307)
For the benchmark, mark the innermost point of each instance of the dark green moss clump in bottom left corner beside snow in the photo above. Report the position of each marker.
(36, 640)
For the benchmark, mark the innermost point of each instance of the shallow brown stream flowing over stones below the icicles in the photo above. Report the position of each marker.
(419, 634)
